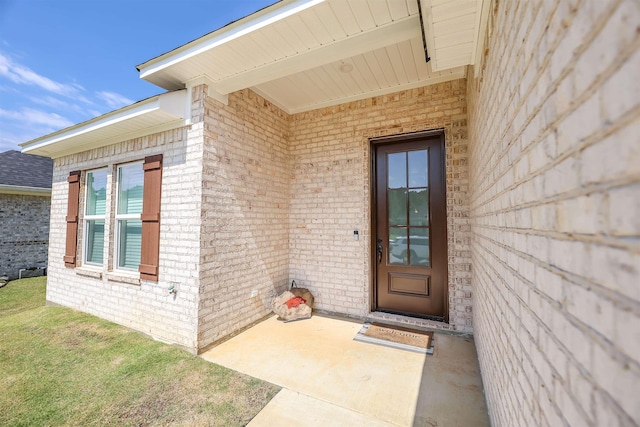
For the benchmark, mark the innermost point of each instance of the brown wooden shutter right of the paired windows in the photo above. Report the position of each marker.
(151, 218)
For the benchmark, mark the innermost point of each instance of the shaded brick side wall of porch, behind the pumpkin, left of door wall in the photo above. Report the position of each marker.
(245, 228)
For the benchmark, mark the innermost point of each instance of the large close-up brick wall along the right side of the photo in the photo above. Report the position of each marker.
(554, 120)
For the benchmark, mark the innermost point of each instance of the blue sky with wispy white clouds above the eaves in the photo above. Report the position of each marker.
(65, 61)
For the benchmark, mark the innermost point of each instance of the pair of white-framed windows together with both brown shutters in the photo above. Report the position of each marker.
(133, 213)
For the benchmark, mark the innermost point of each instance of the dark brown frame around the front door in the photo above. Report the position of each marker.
(406, 137)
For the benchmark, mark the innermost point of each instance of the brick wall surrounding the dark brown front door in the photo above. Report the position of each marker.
(330, 194)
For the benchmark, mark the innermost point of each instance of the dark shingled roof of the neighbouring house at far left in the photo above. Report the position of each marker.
(25, 170)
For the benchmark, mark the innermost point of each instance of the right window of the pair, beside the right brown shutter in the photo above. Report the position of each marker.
(130, 190)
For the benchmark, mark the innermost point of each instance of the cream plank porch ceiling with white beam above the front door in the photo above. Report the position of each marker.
(306, 54)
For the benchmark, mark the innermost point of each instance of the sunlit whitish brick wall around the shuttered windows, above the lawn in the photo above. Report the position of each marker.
(139, 304)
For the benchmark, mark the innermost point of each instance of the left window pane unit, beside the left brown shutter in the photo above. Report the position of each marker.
(94, 216)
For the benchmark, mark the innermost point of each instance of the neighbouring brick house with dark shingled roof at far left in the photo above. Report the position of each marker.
(25, 199)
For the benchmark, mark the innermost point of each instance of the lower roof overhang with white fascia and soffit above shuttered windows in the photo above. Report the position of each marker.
(155, 114)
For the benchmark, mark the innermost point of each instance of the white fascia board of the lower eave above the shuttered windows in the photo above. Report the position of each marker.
(173, 103)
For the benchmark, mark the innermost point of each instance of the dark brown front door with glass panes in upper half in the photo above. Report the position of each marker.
(410, 225)
